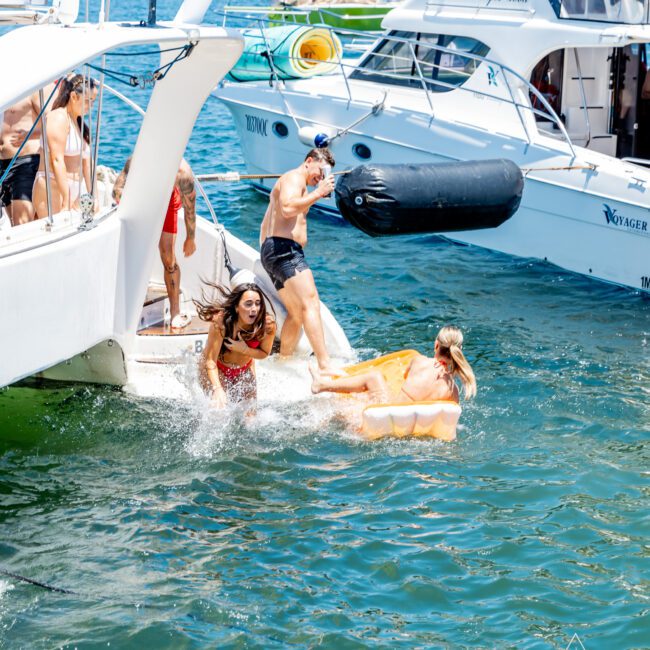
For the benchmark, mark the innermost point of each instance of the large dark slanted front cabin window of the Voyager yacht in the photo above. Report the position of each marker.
(442, 60)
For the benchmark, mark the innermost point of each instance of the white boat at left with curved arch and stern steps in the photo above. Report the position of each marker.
(82, 295)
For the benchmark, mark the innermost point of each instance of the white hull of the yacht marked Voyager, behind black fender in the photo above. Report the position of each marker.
(587, 214)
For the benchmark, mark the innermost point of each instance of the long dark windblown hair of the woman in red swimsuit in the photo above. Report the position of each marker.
(226, 302)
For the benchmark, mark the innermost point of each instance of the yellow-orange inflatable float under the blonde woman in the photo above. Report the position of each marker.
(433, 419)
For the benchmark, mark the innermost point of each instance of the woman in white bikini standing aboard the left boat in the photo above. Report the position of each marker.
(68, 140)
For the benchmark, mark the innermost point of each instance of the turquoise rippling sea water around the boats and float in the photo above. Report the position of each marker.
(177, 531)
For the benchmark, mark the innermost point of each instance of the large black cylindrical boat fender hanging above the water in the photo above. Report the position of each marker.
(430, 197)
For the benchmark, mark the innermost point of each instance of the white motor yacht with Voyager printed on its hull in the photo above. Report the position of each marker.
(560, 87)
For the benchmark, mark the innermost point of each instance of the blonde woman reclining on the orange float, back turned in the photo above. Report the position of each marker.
(426, 379)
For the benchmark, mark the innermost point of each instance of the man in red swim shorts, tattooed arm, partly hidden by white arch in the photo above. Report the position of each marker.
(183, 195)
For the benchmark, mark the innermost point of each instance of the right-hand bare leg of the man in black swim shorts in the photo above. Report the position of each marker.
(301, 291)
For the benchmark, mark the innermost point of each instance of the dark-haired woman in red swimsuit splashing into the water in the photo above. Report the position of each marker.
(240, 331)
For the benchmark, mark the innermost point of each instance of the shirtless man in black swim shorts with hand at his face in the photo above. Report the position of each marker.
(283, 235)
